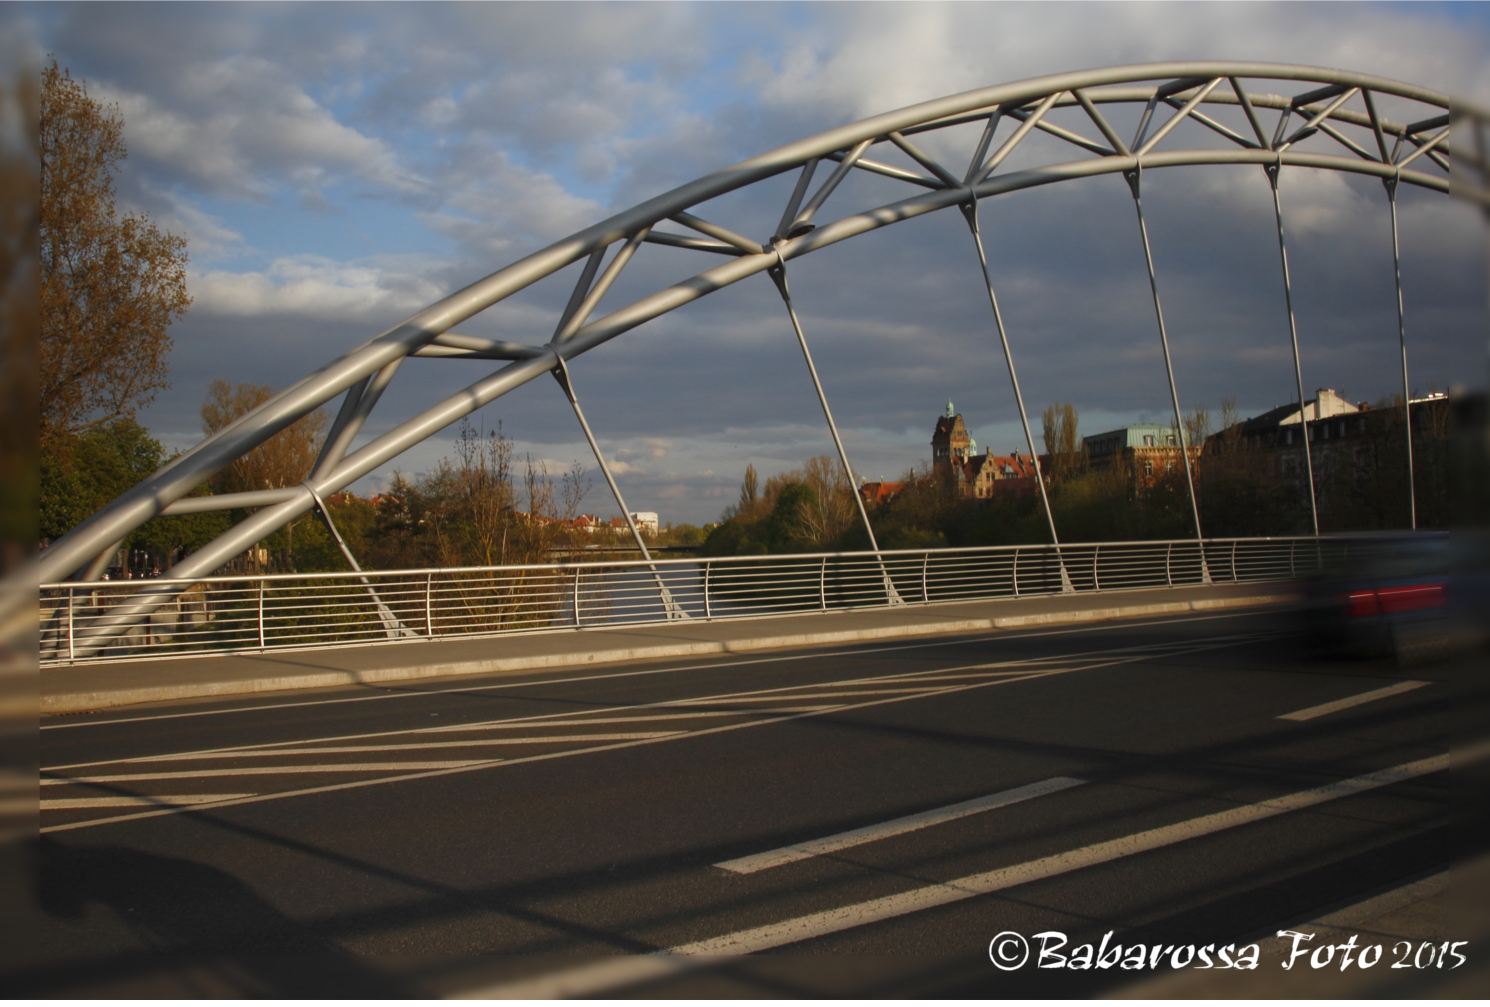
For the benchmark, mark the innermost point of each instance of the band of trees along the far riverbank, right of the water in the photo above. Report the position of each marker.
(1239, 488)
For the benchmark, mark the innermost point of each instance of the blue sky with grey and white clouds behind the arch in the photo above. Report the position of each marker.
(337, 168)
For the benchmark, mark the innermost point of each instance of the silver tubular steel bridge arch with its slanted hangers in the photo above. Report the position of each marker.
(1252, 114)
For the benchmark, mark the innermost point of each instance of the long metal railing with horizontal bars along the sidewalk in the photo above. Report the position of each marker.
(80, 622)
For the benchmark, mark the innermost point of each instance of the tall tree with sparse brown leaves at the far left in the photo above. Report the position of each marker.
(111, 285)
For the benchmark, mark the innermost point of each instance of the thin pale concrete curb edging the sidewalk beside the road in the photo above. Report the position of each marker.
(80, 702)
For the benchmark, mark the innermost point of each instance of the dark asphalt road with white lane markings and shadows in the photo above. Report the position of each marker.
(512, 835)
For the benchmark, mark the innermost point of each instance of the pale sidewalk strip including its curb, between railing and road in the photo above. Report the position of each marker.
(90, 687)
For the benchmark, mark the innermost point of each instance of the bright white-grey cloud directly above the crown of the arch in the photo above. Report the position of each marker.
(866, 59)
